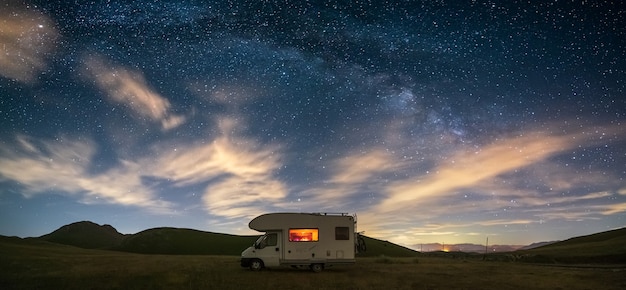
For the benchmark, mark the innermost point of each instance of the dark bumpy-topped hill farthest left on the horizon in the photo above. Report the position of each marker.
(86, 235)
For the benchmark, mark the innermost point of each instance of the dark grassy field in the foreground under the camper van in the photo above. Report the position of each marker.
(41, 265)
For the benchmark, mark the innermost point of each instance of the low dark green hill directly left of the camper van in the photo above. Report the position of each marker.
(184, 242)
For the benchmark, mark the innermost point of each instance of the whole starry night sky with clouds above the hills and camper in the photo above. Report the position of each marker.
(433, 121)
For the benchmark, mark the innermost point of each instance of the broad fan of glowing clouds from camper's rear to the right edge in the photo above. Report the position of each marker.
(489, 185)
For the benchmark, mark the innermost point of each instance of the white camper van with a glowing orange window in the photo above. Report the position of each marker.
(314, 240)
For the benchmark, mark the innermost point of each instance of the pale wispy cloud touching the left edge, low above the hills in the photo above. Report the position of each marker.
(62, 166)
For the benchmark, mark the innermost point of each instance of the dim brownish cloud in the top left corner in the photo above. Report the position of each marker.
(27, 38)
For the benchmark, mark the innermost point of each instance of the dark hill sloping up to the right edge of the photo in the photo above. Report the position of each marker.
(604, 247)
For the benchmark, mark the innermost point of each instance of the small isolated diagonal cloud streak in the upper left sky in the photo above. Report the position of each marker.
(129, 87)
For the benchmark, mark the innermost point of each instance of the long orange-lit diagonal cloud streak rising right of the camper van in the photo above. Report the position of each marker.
(466, 169)
